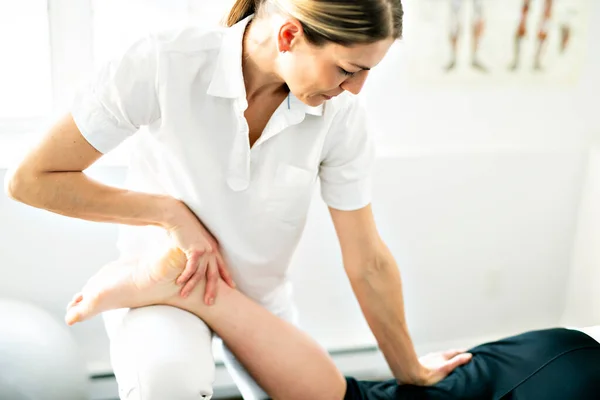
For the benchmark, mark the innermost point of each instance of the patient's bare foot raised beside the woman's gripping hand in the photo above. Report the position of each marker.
(124, 284)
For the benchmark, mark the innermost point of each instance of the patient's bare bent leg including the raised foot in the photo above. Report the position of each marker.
(286, 362)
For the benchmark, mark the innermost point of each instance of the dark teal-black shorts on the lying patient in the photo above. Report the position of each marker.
(550, 364)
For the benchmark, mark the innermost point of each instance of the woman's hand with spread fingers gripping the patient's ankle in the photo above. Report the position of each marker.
(203, 256)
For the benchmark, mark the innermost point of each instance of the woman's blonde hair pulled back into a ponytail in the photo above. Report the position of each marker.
(344, 22)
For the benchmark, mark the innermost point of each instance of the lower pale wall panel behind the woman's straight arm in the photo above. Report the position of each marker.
(483, 241)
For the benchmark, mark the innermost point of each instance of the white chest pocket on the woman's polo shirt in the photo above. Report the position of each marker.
(290, 193)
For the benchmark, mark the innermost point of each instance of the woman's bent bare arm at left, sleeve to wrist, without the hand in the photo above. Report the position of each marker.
(51, 177)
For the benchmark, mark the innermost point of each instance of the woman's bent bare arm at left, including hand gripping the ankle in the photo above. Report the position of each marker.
(51, 177)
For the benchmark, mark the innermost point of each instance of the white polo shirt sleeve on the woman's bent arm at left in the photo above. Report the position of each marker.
(121, 97)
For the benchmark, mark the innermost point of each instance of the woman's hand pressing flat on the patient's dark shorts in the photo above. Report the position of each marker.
(439, 365)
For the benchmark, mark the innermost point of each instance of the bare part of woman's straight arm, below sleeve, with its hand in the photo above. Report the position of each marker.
(376, 282)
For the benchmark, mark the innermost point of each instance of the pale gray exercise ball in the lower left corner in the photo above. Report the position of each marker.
(39, 360)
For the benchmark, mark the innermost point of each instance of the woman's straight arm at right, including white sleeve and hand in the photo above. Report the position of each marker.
(345, 174)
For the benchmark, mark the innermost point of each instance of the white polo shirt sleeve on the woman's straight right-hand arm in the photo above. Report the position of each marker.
(346, 169)
